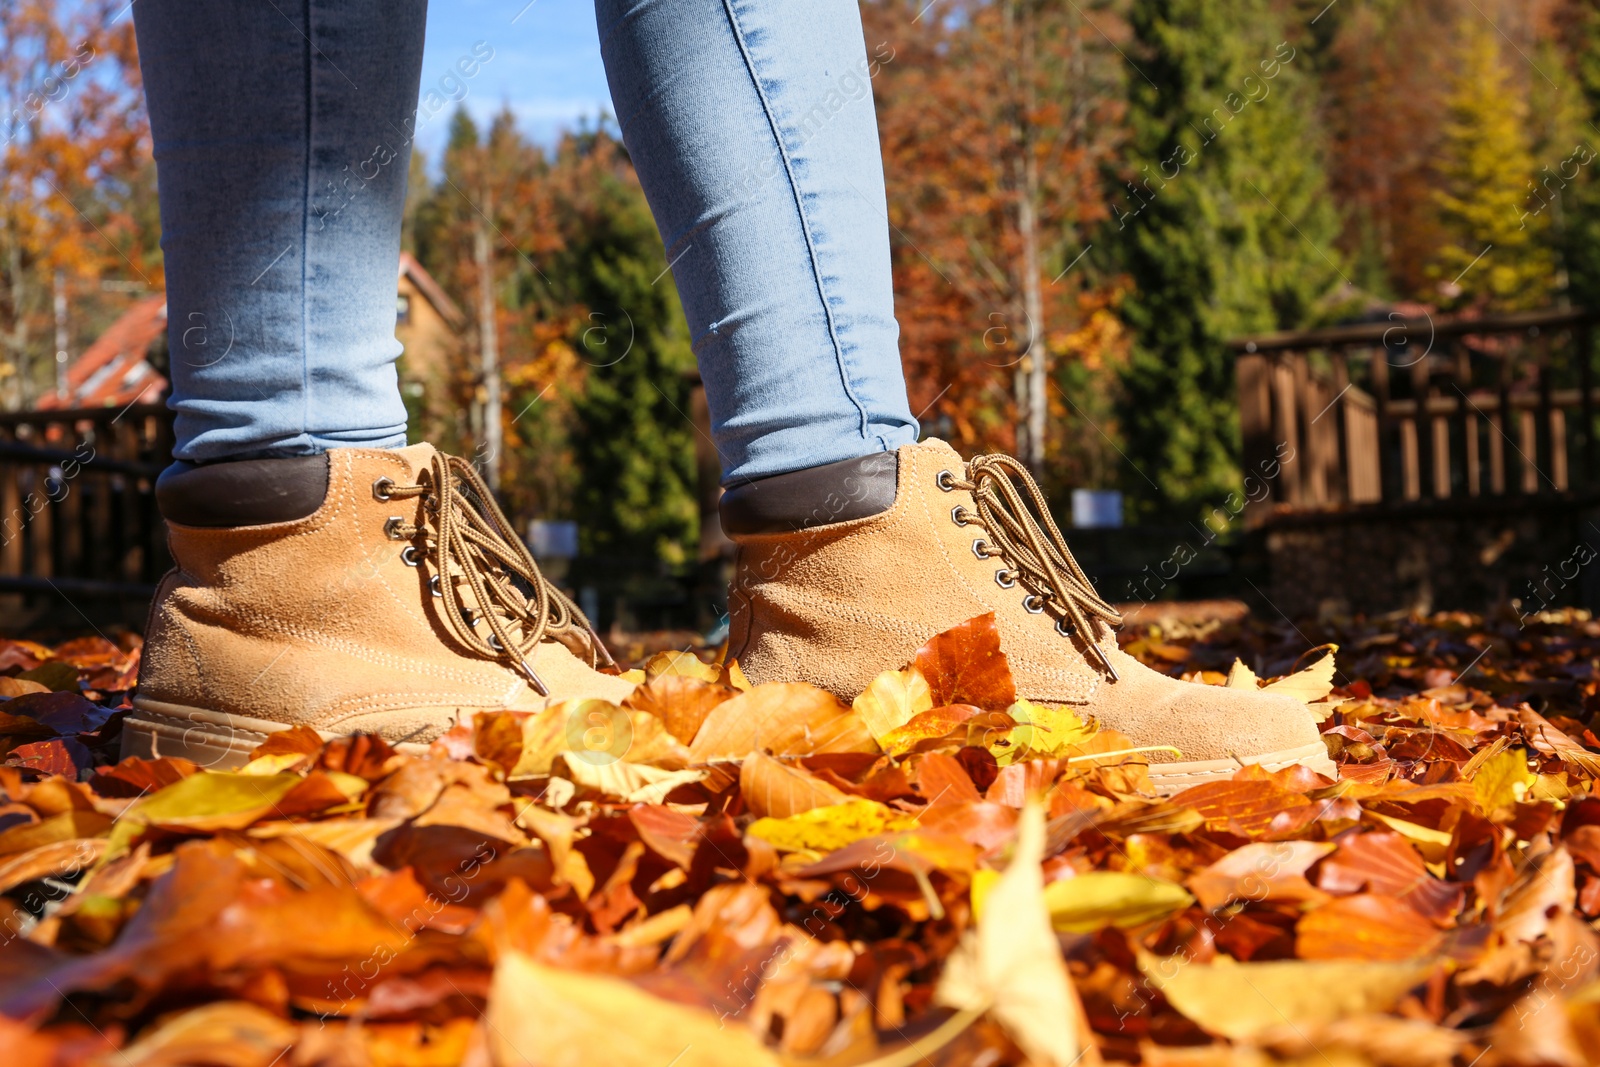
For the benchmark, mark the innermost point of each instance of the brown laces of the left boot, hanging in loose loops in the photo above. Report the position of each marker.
(466, 537)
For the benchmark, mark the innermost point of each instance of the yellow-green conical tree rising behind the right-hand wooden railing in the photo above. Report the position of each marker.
(1497, 225)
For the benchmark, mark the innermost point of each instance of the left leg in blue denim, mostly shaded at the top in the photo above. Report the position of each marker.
(282, 138)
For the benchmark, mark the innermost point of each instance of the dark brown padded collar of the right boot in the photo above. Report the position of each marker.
(817, 497)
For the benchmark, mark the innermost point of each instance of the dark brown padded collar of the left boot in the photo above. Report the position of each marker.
(242, 492)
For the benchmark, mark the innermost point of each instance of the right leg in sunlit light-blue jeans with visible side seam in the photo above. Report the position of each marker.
(753, 130)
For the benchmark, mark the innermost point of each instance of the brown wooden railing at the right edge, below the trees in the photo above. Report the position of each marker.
(1422, 410)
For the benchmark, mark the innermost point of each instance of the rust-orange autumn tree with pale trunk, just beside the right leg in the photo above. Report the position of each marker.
(996, 118)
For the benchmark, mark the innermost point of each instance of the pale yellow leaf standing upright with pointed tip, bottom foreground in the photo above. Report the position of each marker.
(1012, 967)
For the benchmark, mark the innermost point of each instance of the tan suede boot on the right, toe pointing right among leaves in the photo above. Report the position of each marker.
(849, 597)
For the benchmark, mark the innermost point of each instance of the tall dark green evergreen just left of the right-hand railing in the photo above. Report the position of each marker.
(1225, 228)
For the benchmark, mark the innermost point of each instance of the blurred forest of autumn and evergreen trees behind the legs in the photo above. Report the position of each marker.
(1086, 202)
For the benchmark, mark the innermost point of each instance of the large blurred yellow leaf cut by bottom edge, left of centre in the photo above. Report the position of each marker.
(564, 1018)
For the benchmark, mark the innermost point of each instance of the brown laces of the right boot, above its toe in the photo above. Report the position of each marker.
(1014, 513)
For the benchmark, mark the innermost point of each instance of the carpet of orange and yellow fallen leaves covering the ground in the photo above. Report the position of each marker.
(721, 874)
